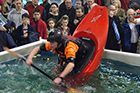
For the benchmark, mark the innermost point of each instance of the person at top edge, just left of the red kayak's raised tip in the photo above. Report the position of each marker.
(89, 5)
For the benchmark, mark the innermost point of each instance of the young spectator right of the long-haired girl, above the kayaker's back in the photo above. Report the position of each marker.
(63, 25)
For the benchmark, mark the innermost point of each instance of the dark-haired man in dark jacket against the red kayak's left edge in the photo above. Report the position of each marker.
(79, 16)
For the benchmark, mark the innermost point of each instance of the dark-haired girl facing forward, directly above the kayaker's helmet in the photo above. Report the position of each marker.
(51, 25)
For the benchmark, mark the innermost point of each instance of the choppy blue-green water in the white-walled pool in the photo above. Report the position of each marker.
(111, 77)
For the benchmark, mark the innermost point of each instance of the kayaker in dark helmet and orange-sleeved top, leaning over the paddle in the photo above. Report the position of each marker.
(70, 52)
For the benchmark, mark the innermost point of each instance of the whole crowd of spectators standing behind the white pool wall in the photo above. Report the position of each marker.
(20, 25)
